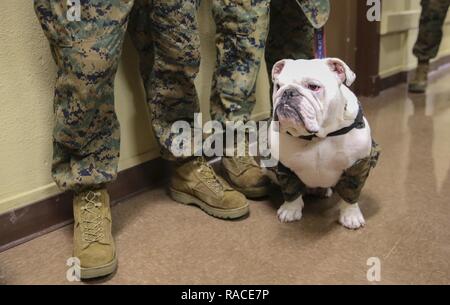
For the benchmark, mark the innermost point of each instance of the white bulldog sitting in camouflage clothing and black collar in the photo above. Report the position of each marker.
(321, 136)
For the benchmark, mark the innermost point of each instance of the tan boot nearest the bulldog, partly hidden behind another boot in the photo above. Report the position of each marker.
(246, 176)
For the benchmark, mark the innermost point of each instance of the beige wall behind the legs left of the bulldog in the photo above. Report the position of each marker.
(26, 89)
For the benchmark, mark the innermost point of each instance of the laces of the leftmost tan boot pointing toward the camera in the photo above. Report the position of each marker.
(91, 218)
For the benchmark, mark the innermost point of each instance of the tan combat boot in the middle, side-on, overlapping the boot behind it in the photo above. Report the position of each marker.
(195, 182)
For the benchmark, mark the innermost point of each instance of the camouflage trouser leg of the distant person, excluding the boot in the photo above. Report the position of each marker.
(430, 28)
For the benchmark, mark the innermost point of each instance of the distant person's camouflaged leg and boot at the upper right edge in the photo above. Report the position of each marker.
(429, 40)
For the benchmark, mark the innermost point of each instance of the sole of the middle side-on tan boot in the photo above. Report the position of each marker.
(188, 199)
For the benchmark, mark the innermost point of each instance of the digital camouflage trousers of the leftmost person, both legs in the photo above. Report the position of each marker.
(87, 52)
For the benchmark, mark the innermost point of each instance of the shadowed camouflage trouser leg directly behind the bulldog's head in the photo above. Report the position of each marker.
(290, 35)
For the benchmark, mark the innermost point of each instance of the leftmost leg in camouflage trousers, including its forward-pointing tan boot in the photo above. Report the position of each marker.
(86, 132)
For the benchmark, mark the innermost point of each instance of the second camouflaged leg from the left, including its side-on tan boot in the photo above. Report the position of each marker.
(167, 38)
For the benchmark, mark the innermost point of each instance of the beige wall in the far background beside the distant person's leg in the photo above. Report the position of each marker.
(399, 28)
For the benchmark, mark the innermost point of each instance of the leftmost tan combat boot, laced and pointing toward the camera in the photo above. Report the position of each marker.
(93, 241)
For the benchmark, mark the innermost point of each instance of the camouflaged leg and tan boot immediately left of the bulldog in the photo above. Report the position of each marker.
(242, 29)
